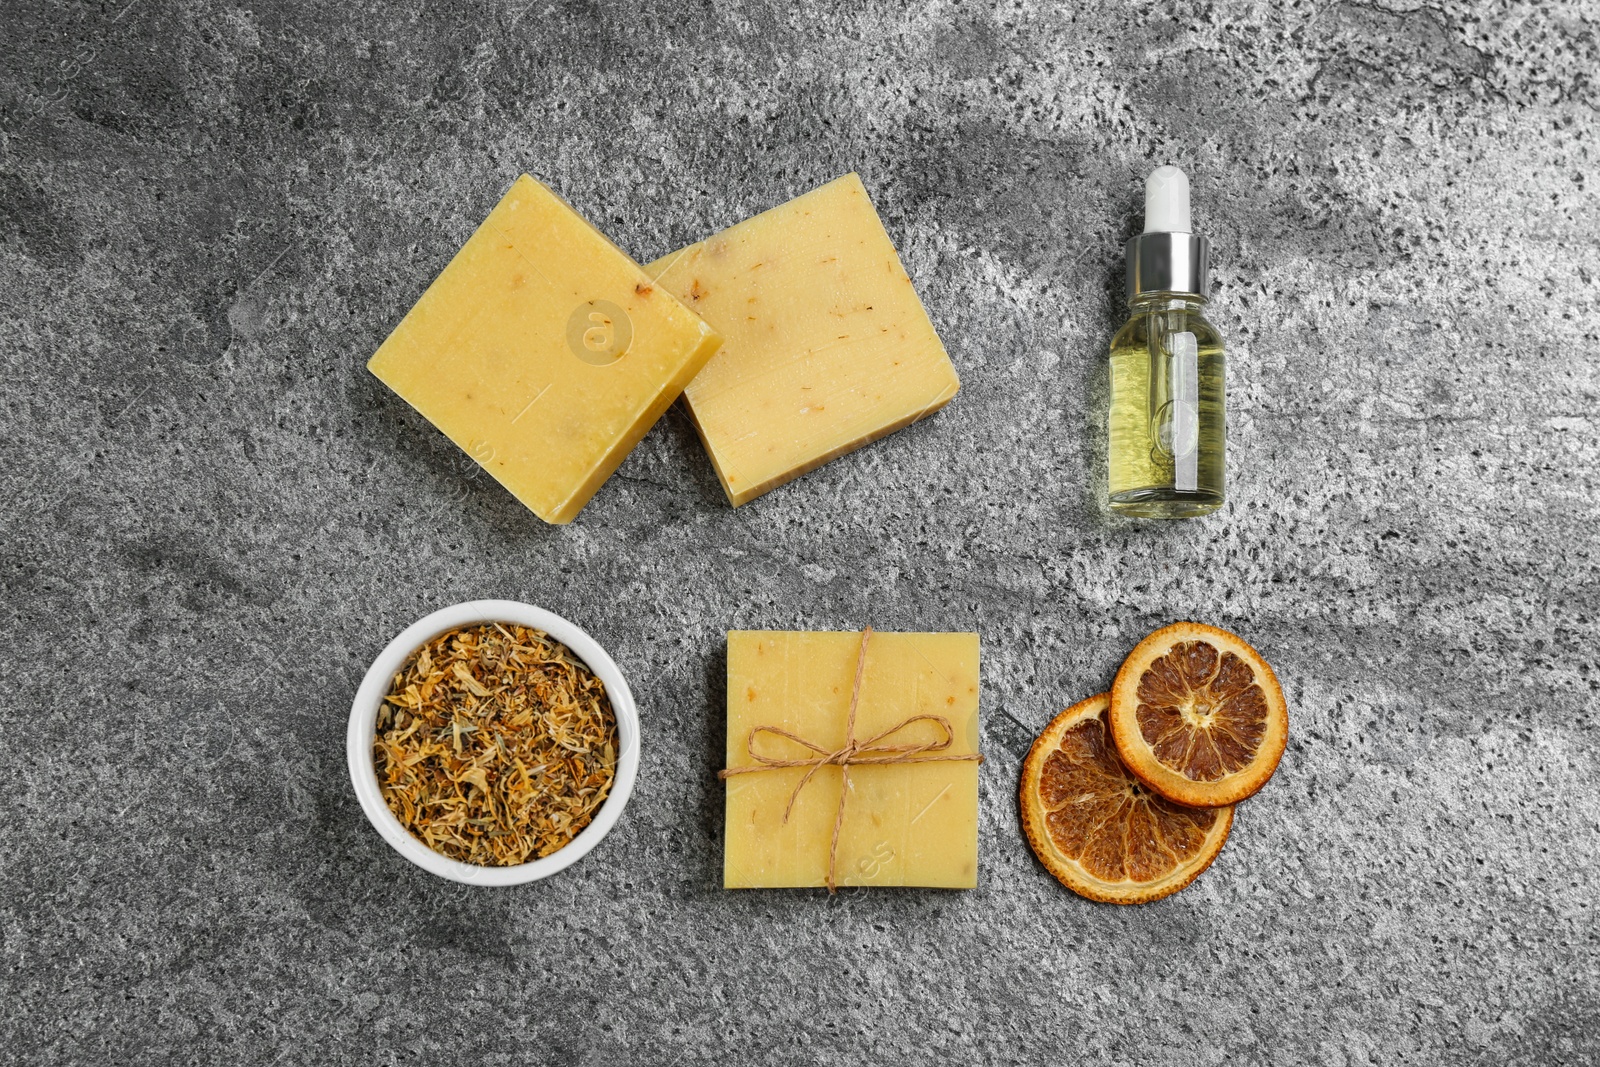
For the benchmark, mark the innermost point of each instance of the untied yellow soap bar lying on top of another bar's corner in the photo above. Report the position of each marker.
(545, 353)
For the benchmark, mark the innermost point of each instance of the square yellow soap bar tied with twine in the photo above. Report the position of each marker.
(913, 825)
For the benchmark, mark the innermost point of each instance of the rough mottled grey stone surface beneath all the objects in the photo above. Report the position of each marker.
(212, 215)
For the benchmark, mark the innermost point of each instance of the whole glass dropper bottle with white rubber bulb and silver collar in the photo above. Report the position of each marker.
(1167, 417)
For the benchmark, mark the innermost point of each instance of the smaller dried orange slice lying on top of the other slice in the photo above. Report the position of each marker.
(1199, 716)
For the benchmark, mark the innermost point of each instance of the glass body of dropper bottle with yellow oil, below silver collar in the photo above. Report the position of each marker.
(1167, 434)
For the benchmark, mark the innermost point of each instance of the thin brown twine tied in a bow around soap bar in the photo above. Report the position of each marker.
(873, 751)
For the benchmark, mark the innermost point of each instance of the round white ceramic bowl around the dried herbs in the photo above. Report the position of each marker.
(375, 687)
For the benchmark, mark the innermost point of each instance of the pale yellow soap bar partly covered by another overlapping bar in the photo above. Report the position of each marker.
(825, 342)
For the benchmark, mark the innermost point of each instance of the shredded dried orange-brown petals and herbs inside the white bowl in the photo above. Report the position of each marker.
(495, 745)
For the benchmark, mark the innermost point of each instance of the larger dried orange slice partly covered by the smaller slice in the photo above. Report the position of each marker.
(1098, 829)
